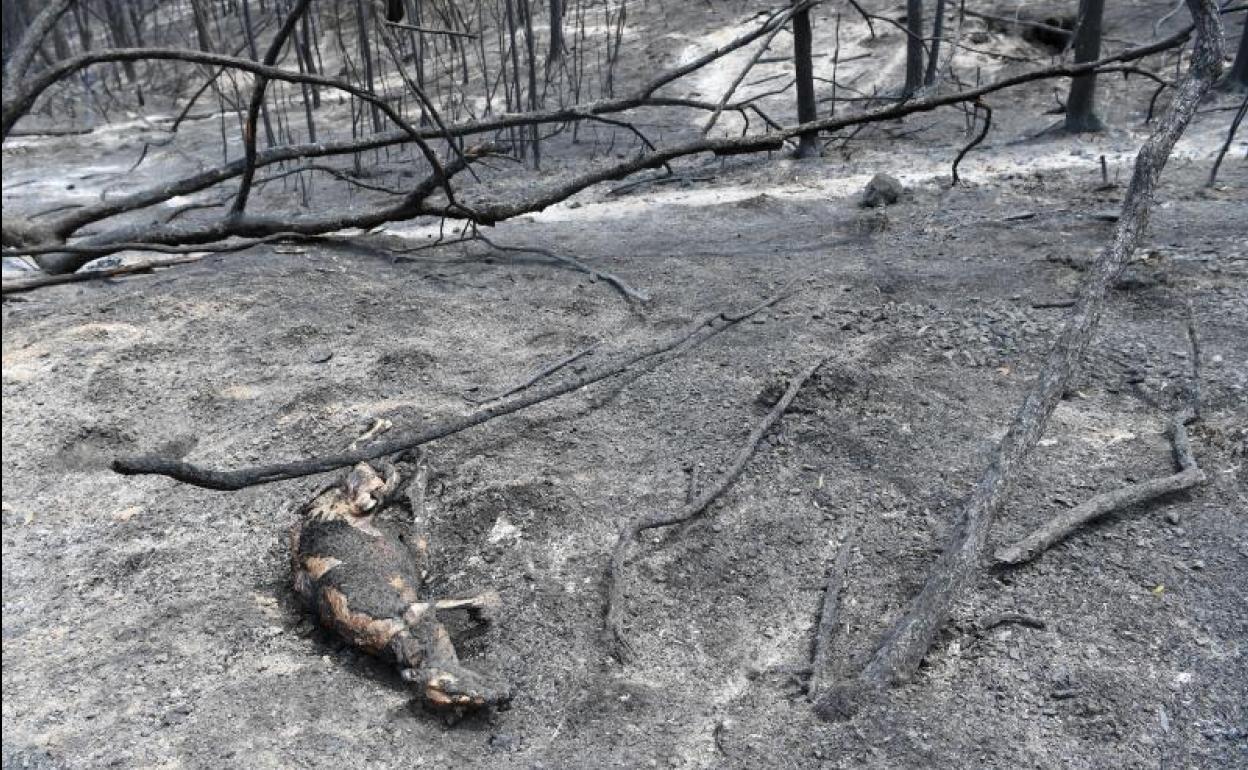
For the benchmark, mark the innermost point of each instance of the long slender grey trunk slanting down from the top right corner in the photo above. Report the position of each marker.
(904, 647)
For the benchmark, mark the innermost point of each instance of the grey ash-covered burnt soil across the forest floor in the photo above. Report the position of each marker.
(148, 623)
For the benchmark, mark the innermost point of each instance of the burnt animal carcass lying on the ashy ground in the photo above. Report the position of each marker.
(361, 576)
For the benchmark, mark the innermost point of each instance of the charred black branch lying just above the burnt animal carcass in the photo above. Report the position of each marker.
(209, 479)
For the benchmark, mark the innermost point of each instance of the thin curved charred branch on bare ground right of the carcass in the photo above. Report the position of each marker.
(616, 610)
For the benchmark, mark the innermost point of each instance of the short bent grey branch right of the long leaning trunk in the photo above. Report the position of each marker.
(1065, 524)
